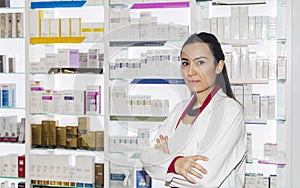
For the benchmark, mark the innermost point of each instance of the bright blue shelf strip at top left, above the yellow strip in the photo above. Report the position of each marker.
(56, 4)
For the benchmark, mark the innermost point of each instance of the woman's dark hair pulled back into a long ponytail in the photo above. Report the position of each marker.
(215, 47)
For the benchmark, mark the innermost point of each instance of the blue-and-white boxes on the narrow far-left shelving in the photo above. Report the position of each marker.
(7, 95)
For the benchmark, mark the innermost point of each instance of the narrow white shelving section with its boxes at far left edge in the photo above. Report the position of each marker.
(12, 108)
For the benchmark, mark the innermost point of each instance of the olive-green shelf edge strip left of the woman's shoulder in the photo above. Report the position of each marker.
(137, 118)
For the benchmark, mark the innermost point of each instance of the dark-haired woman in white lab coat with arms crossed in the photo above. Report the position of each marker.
(202, 143)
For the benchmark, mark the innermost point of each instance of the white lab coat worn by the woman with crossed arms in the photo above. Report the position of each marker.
(218, 133)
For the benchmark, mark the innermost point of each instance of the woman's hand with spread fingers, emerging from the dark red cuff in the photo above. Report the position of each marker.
(188, 165)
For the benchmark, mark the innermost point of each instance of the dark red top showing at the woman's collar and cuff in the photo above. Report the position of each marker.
(171, 168)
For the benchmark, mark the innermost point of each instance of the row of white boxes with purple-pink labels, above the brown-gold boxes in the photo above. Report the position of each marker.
(66, 101)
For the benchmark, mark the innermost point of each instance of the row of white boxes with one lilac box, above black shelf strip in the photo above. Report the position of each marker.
(69, 58)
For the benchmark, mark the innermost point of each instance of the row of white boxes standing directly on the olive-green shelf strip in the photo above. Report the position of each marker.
(137, 104)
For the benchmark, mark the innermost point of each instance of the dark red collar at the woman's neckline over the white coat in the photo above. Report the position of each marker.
(205, 103)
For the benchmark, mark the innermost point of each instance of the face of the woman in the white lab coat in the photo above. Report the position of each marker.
(197, 65)
